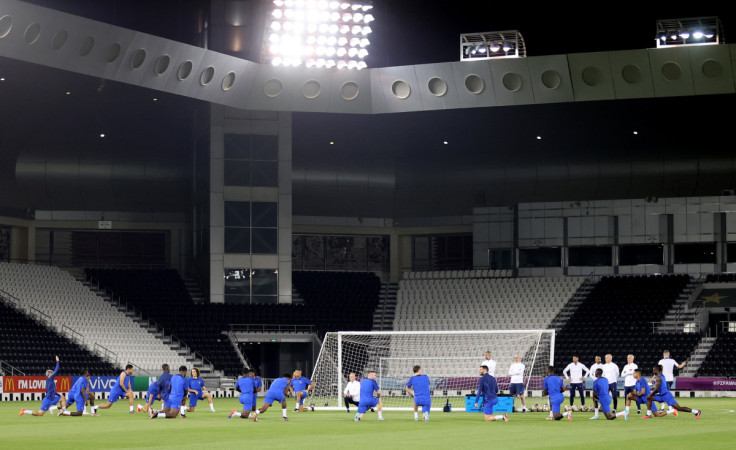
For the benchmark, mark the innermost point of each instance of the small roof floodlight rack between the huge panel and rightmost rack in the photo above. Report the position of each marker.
(492, 45)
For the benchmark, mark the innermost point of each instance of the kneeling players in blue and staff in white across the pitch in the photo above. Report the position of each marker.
(172, 390)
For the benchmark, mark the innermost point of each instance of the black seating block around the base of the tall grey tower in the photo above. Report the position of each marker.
(332, 301)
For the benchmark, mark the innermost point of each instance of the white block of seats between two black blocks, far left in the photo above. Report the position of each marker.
(72, 306)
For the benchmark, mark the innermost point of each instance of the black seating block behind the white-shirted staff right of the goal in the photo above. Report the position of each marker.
(617, 317)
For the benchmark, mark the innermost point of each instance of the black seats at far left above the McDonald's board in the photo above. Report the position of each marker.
(30, 346)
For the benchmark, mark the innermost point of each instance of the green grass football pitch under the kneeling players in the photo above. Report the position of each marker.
(116, 428)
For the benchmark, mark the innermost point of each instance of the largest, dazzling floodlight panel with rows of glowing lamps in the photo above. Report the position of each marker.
(318, 33)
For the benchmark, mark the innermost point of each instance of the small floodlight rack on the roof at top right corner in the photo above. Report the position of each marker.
(690, 31)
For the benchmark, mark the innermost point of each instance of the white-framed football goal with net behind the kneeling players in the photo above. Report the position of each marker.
(450, 358)
